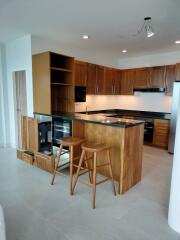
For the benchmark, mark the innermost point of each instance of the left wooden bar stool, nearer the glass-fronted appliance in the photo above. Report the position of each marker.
(69, 142)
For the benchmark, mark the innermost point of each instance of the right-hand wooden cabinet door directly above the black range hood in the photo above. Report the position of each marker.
(157, 77)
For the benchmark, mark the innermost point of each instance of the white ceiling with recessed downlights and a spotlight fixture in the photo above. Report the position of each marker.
(109, 23)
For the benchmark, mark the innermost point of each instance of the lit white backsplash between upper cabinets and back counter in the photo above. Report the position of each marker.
(155, 102)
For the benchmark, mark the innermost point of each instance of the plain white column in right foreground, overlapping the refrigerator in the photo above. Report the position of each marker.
(174, 204)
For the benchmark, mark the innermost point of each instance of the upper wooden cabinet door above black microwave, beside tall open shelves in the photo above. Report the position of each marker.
(80, 73)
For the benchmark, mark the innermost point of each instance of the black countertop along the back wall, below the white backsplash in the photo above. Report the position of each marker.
(135, 113)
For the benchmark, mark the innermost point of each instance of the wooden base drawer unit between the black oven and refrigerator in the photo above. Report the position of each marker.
(161, 133)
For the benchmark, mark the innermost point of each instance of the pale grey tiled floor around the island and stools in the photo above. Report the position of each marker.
(35, 210)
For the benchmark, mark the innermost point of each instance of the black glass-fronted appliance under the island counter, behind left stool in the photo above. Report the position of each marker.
(60, 128)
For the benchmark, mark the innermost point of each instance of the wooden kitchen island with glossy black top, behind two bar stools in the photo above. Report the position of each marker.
(125, 136)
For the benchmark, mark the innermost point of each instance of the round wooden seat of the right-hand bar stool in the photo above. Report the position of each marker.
(94, 147)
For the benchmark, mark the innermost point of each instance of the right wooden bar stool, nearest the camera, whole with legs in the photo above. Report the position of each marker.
(94, 148)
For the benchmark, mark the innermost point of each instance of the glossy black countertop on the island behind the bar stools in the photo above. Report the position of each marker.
(96, 118)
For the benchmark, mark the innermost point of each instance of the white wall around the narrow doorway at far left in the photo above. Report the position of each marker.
(18, 57)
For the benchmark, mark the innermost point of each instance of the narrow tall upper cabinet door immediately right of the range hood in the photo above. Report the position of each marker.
(170, 78)
